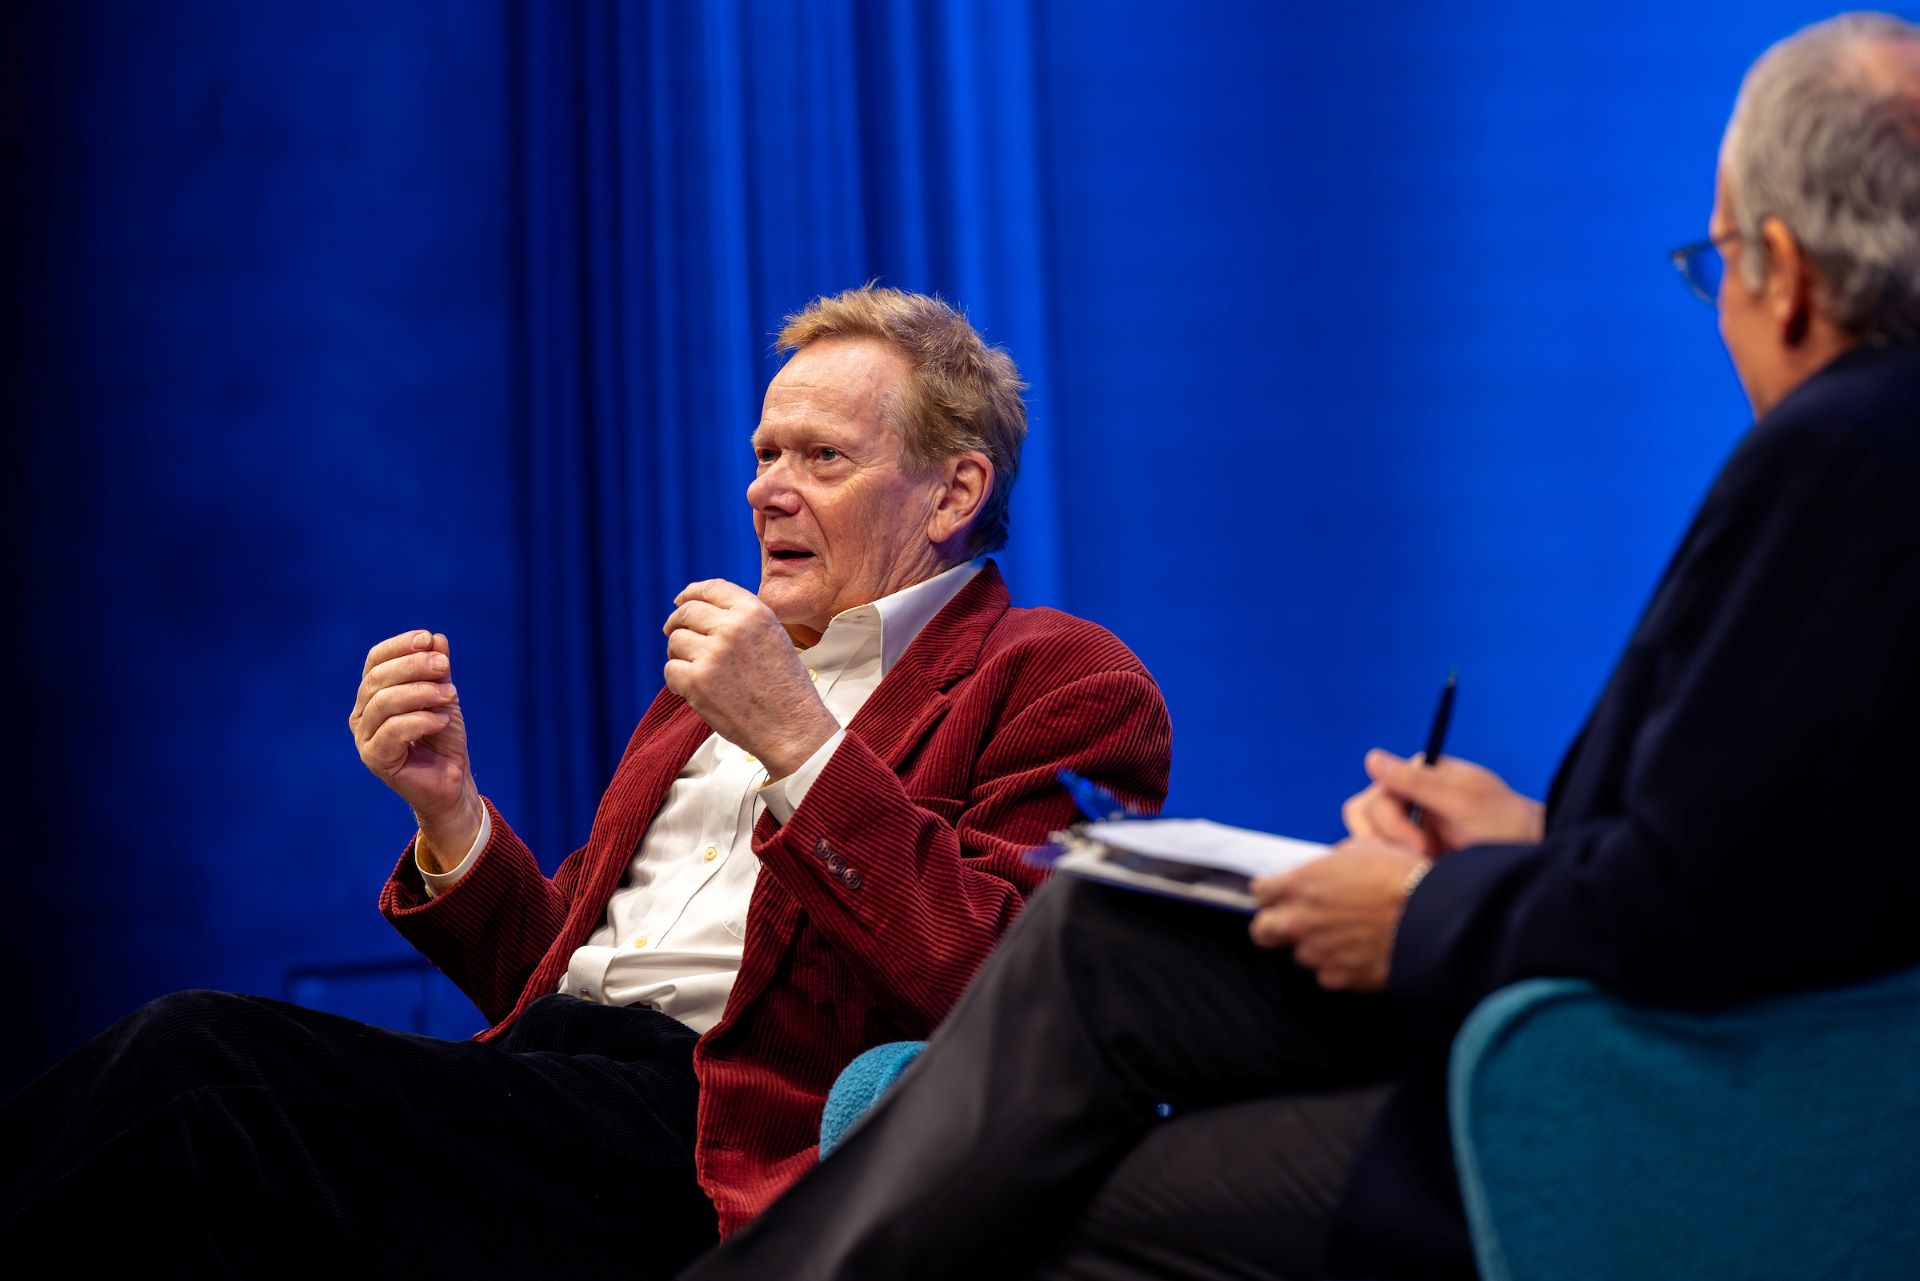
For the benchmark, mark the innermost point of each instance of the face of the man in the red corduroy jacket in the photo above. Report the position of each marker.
(842, 514)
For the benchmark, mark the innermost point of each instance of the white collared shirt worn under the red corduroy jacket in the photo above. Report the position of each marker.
(677, 925)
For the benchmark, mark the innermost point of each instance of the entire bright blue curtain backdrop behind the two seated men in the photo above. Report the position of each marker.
(1355, 358)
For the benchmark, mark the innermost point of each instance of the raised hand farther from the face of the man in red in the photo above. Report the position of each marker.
(412, 737)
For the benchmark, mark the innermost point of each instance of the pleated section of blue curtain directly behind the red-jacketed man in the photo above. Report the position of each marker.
(686, 176)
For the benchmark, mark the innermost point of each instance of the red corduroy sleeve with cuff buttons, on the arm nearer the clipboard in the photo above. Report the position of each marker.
(915, 900)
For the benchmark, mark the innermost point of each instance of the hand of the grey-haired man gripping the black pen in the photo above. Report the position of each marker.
(1466, 806)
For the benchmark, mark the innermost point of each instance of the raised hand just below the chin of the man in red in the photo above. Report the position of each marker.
(729, 656)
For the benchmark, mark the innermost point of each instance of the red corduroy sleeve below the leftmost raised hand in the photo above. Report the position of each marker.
(492, 929)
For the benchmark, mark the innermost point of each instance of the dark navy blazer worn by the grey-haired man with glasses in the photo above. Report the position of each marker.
(1740, 813)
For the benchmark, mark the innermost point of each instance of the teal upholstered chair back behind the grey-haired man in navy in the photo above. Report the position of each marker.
(1771, 1140)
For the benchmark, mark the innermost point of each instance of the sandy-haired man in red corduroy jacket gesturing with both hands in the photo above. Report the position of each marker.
(811, 844)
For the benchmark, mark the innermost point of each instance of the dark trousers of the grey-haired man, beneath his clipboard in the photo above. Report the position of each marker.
(1030, 1140)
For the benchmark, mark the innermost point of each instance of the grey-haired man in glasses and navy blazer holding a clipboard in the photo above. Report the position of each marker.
(1735, 821)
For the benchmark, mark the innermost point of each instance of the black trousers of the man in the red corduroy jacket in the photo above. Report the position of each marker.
(233, 1136)
